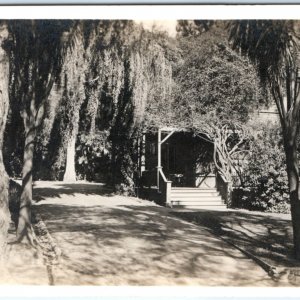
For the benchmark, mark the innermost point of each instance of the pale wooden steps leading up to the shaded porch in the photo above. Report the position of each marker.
(201, 198)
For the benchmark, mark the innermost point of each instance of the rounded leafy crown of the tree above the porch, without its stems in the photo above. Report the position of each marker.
(215, 79)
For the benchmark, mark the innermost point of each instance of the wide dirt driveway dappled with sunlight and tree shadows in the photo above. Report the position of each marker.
(119, 240)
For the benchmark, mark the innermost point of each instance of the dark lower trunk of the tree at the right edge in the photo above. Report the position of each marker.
(293, 179)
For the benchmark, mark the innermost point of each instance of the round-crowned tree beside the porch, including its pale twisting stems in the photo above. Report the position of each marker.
(217, 90)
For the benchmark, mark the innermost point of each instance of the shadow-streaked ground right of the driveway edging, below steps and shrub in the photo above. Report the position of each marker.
(269, 238)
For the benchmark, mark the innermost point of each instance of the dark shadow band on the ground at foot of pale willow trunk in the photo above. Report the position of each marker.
(42, 193)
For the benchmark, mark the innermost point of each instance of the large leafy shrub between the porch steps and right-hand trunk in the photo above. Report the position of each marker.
(265, 185)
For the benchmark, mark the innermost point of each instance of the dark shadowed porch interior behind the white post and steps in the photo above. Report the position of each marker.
(186, 159)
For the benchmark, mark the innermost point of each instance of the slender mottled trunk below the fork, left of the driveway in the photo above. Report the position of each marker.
(24, 222)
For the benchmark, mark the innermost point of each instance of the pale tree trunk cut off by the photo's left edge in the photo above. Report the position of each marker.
(4, 101)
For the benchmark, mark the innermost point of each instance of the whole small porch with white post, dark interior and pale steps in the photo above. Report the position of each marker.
(178, 167)
